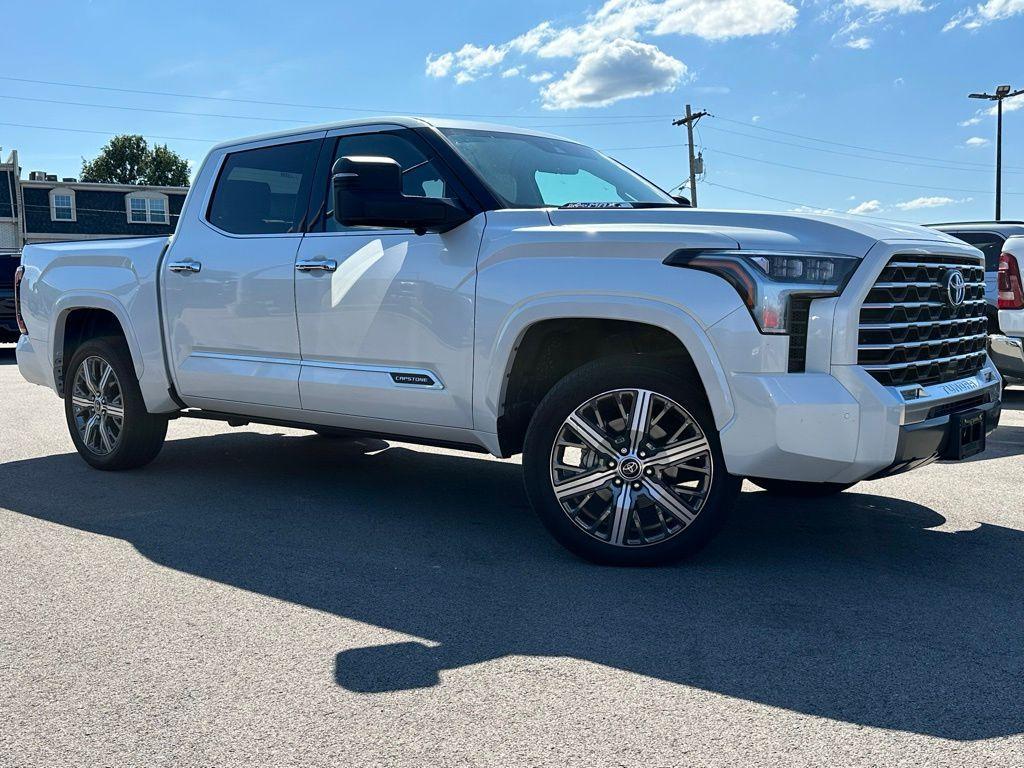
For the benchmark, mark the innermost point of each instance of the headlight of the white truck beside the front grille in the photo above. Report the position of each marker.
(766, 281)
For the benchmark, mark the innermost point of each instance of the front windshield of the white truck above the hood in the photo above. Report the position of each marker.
(537, 173)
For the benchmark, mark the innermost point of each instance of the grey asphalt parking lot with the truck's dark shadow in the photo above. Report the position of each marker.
(260, 596)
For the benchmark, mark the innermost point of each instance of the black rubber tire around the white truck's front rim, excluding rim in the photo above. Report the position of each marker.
(631, 372)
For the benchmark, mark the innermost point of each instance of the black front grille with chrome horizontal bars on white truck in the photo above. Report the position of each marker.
(911, 332)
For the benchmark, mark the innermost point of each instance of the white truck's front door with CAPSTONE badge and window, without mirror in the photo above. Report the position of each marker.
(386, 316)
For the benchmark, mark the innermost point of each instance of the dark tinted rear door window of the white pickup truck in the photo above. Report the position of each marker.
(264, 192)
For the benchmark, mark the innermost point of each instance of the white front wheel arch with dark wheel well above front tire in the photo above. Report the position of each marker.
(543, 343)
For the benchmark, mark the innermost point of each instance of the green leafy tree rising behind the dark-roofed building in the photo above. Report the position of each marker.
(129, 160)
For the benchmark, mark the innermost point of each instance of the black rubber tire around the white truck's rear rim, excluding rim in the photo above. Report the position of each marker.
(143, 434)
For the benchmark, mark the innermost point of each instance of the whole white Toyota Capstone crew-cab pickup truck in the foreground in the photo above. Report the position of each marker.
(509, 292)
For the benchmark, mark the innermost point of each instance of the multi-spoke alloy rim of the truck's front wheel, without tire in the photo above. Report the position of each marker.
(631, 467)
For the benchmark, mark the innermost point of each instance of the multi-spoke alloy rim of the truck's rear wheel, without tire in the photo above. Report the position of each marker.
(99, 406)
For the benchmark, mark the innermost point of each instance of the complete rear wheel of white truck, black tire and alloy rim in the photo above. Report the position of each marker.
(105, 410)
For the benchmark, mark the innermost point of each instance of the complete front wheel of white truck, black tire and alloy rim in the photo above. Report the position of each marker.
(624, 465)
